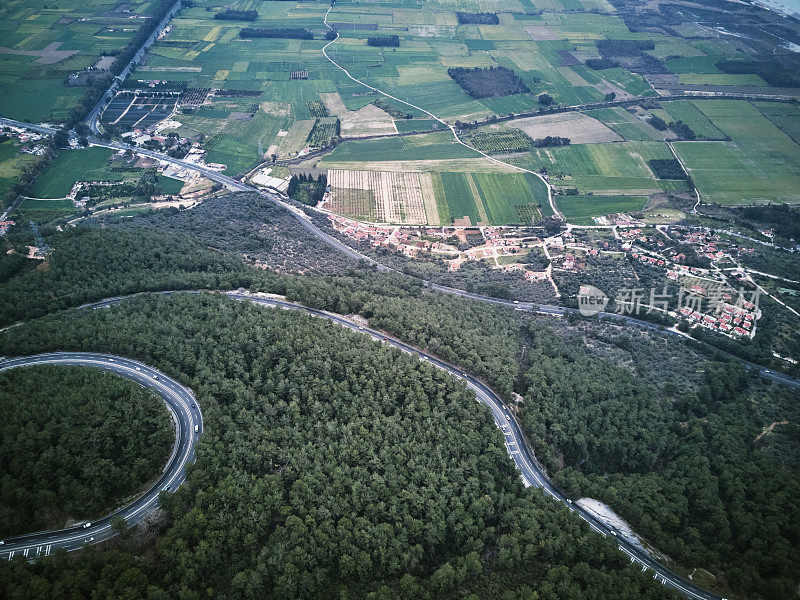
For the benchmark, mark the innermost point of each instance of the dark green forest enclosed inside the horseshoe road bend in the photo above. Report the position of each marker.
(74, 442)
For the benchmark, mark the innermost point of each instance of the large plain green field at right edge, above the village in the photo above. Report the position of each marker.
(757, 165)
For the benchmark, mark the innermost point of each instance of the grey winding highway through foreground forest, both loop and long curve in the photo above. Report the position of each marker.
(186, 415)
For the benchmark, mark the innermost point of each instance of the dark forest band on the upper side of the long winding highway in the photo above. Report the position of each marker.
(661, 452)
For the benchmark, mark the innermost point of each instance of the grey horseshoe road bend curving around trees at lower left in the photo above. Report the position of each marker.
(186, 416)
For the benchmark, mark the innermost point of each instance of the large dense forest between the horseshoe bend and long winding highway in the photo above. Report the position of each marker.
(330, 467)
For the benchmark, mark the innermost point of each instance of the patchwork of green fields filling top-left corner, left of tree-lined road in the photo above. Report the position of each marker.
(42, 44)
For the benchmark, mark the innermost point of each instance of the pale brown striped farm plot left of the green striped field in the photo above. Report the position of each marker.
(381, 196)
